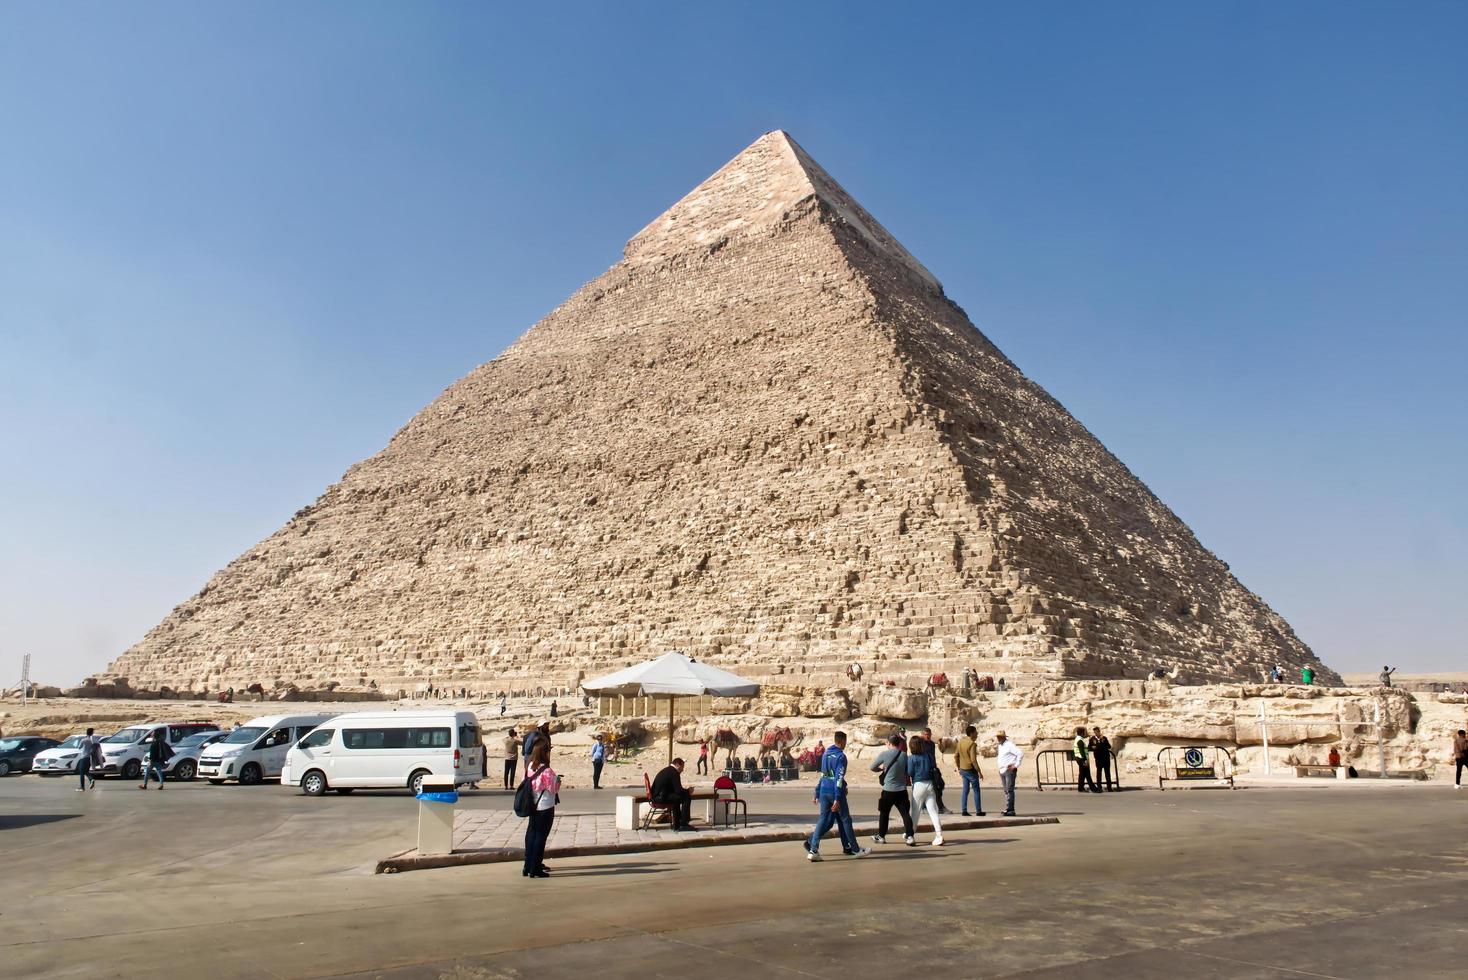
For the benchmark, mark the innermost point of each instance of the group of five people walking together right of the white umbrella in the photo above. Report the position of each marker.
(911, 778)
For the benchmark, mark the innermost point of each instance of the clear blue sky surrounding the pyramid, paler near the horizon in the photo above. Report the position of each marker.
(243, 244)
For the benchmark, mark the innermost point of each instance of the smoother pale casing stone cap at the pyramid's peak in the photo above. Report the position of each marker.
(754, 191)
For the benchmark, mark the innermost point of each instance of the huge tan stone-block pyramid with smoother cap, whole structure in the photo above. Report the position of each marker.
(764, 438)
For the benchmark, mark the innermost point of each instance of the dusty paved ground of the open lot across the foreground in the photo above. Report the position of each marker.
(1328, 881)
